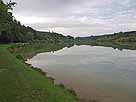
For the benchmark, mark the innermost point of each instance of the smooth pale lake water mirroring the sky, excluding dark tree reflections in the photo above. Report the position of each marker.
(94, 72)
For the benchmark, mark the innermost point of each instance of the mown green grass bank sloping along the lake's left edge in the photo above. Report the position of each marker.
(20, 83)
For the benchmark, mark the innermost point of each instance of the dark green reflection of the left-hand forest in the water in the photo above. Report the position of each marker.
(28, 50)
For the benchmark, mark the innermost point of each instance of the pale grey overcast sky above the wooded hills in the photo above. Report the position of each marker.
(78, 17)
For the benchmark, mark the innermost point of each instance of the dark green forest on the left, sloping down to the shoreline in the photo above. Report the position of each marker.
(12, 31)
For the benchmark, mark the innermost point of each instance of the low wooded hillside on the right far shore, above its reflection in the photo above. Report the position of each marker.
(125, 37)
